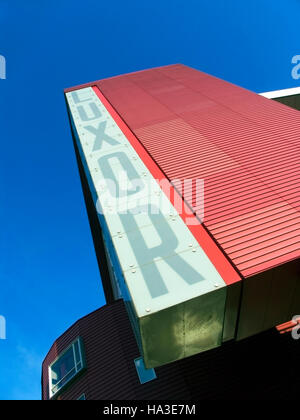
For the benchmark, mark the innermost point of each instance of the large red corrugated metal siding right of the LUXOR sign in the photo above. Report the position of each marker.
(244, 146)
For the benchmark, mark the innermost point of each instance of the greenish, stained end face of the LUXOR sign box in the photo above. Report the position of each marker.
(182, 330)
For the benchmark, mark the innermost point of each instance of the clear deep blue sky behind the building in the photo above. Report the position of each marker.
(48, 272)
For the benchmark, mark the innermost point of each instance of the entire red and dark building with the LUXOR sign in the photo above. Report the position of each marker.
(197, 246)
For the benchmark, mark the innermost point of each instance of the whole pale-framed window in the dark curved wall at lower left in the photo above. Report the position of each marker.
(67, 365)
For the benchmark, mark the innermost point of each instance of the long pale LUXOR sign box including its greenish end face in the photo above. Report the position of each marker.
(175, 291)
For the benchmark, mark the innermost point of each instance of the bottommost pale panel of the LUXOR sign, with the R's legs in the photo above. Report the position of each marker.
(178, 278)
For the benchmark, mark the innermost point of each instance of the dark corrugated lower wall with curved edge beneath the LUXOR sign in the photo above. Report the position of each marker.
(263, 366)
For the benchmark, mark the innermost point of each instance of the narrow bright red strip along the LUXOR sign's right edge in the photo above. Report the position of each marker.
(222, 265)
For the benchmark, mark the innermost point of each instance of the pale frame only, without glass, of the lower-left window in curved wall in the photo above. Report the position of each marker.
(82, 362)
